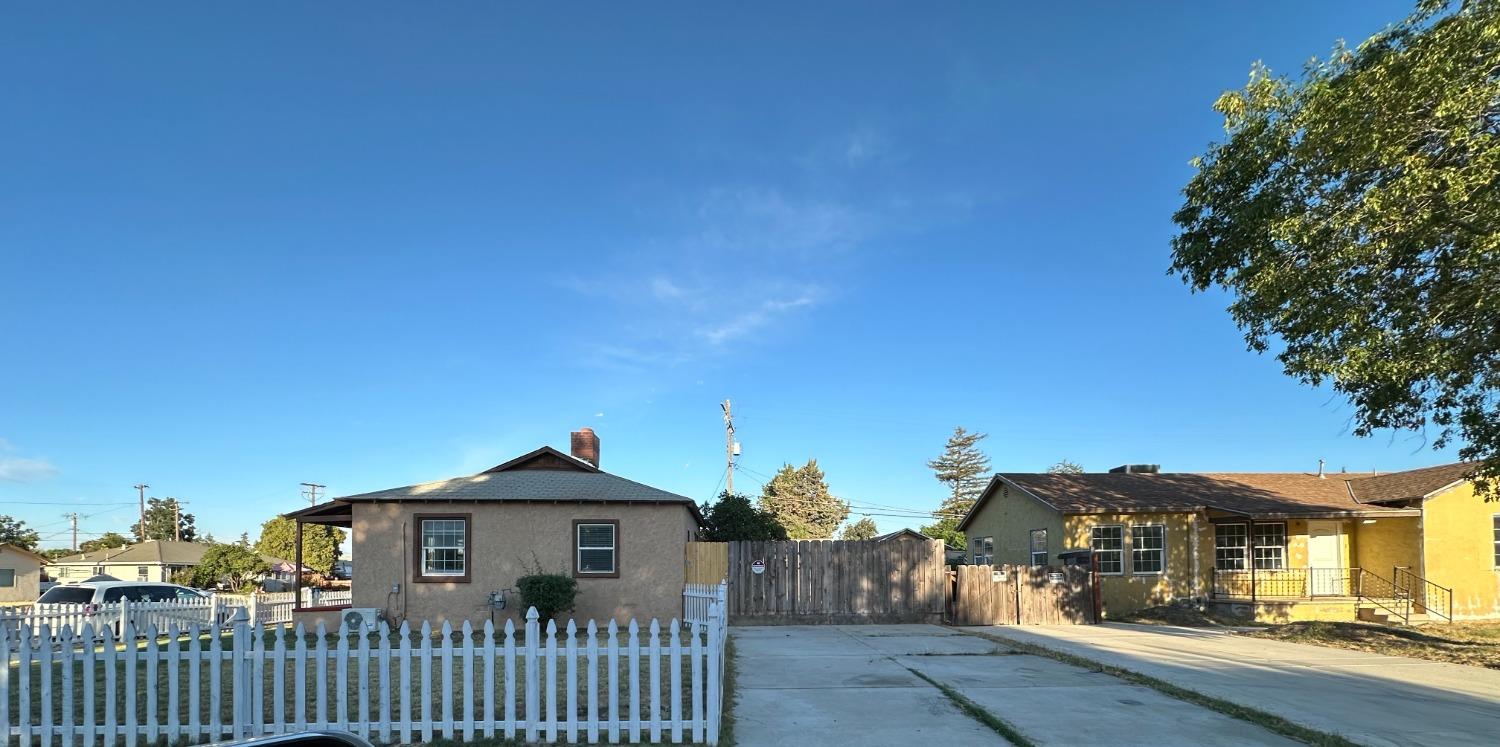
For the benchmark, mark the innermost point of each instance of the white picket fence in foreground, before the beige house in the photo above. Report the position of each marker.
(196, 685)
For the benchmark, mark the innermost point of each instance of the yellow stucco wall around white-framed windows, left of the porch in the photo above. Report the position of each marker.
(1181, 577)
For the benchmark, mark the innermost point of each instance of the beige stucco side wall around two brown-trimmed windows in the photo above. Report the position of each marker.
(508, 541)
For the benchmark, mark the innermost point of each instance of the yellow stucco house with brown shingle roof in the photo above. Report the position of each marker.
(1406, 547)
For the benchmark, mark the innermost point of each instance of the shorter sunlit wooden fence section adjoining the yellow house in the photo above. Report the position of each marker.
(1022, 596)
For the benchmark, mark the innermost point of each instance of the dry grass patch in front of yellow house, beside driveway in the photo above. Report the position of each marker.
(1475, 644)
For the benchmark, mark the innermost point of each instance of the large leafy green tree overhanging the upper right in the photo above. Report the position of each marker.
(1355, 218)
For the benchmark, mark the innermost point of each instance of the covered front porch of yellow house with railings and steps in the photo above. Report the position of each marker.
(1343, 566)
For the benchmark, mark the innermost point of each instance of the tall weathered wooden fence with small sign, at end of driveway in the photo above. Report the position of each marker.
(836, 581)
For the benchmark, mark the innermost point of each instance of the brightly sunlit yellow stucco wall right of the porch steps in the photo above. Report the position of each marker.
(1459, 550)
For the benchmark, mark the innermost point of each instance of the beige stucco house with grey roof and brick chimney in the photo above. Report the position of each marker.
(443, 551)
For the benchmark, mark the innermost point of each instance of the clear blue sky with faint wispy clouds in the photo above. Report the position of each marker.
(242, 248)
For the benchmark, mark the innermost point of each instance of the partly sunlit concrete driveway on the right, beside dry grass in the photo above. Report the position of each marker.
(1369, 698)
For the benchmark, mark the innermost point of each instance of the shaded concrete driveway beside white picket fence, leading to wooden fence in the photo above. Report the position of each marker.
(854, 685)
